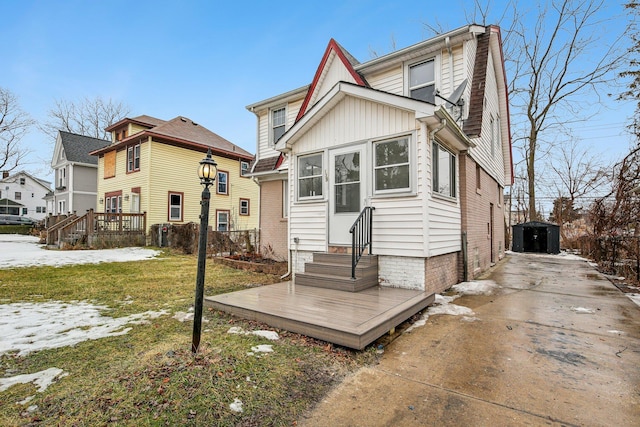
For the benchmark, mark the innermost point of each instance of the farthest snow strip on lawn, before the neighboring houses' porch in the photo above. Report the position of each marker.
(24, 251)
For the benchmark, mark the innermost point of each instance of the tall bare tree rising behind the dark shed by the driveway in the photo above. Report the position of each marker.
(562, 57)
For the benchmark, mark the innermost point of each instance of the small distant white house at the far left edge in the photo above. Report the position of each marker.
(23, 194)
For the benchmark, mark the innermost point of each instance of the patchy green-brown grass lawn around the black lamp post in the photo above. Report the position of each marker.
(149, 376)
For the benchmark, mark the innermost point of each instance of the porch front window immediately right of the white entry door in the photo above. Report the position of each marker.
(391, 167)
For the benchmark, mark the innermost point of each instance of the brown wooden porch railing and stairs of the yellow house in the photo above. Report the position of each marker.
(99, 229)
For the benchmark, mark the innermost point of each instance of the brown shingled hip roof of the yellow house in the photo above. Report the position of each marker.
(184, 132)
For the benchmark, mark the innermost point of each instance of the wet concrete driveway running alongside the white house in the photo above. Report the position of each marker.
(557, 344)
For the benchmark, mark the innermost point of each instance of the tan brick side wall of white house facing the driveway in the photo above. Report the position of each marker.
(476, 202)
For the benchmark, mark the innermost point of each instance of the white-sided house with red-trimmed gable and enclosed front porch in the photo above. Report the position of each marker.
(421, 135)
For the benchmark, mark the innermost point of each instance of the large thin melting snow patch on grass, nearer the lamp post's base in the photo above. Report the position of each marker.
(28, 327)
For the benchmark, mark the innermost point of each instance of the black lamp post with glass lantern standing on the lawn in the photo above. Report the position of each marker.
(207, 172)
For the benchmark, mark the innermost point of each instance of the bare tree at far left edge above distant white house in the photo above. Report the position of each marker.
(14, 124)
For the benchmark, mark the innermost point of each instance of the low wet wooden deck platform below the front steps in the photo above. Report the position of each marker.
(350, 319)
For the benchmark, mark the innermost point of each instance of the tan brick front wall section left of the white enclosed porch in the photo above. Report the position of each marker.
(273, 228)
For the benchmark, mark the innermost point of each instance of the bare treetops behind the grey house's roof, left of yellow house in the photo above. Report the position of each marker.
(87, 117)
